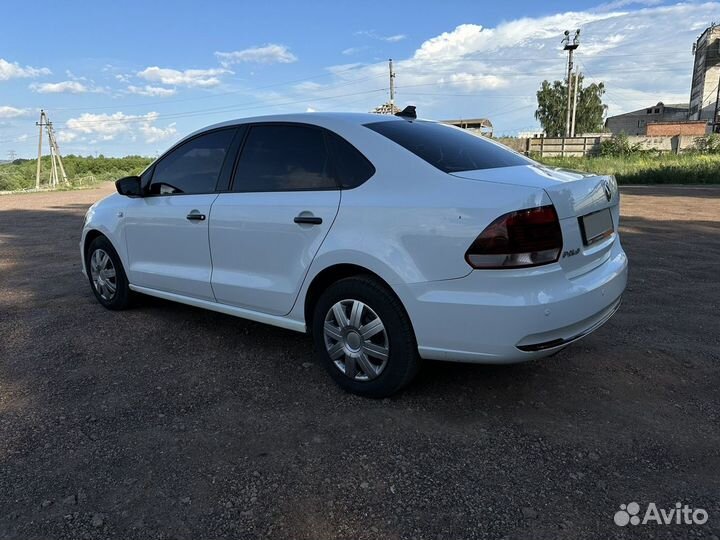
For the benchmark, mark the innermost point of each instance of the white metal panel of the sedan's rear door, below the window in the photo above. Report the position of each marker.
(260, 255)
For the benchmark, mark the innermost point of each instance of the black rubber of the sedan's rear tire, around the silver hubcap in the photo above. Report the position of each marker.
(403, 361)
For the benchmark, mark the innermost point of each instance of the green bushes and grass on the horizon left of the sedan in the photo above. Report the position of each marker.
(81, 171)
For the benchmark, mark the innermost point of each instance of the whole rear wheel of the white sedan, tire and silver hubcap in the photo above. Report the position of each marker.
(353, 345)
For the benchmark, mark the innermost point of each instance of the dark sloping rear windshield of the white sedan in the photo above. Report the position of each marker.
(447, 148)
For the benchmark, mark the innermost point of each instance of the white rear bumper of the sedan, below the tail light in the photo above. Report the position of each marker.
(507, 316)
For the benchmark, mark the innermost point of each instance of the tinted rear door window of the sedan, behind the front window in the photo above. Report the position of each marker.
(284, 158)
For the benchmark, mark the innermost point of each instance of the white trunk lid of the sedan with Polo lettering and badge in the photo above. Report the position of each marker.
(586, 205)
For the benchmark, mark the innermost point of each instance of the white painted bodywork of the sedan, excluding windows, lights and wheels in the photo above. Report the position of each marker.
(410, 225)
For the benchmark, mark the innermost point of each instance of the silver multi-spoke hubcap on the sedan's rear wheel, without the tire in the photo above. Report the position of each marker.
(356, 340)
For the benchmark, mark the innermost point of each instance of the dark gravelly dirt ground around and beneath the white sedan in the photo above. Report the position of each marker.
(167, 421)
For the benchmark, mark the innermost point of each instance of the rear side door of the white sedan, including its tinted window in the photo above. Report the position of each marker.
(265, 232)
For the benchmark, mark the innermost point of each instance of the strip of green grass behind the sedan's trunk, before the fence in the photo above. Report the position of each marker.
(648, 169)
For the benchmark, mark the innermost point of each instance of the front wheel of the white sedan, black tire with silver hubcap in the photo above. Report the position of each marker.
(105, 273)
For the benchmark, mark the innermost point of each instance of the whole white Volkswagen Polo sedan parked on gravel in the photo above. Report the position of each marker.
(390, 239)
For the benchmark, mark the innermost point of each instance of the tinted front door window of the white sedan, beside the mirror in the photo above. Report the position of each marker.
(192, 167)
